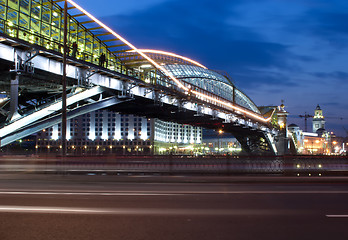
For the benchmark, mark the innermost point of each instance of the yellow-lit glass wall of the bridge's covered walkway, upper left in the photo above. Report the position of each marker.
(41, 22)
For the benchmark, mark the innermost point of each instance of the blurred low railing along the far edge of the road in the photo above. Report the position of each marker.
(222, 165)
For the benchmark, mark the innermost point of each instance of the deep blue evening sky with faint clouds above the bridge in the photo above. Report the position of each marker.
(295, 50)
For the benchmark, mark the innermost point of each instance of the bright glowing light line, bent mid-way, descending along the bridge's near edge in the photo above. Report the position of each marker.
(179, 83)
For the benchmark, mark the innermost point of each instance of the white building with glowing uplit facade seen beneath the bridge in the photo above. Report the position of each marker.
(105, 132)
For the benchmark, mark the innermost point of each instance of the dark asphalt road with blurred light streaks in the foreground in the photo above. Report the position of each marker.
(97, 207)
